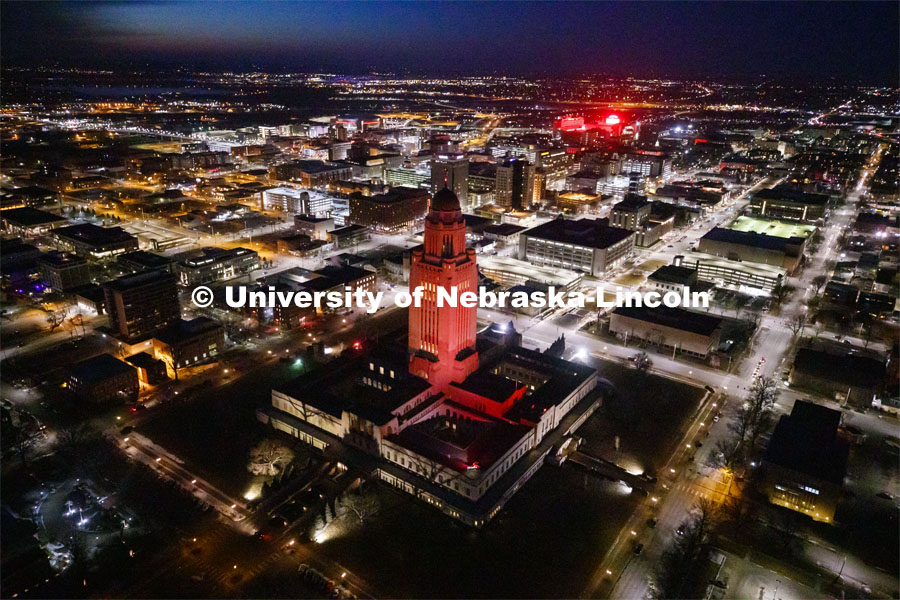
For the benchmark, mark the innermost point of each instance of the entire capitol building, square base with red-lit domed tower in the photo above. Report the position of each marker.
(459, 419)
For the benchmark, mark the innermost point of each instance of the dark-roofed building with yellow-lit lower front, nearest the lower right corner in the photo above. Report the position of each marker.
(806, 462)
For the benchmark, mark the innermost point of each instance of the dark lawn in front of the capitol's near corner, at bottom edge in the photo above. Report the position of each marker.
(544, 544)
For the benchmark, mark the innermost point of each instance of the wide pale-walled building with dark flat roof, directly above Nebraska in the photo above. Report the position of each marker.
(586, 245)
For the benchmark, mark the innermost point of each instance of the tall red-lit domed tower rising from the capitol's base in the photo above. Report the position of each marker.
(442, 339)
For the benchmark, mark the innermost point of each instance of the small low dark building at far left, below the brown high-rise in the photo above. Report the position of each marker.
(103, 378)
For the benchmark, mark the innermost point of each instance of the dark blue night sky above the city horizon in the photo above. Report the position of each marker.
(852, 42)
